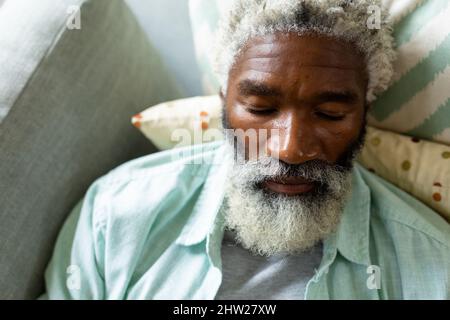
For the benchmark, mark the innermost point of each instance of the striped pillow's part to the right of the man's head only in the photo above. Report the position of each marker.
(418, 101)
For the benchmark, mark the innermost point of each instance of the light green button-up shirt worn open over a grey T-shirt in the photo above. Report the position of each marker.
(152, 229)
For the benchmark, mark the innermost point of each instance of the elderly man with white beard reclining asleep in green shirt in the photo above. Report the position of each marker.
(298, 219)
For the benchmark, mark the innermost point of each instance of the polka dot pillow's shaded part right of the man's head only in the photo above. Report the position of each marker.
(419, 167)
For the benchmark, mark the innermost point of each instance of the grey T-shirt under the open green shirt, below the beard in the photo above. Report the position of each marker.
(250, 277)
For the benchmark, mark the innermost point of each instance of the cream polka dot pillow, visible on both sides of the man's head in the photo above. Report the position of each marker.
(419, 167)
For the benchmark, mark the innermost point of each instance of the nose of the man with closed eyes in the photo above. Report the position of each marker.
(294, 143)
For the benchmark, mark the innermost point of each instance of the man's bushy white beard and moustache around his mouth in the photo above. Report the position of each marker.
(267, 223)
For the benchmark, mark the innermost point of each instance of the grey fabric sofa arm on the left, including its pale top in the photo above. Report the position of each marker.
(68, 120)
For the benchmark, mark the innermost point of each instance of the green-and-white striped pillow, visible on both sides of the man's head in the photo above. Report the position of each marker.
(418, 101)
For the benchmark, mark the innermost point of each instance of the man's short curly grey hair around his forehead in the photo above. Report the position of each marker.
(342, 19)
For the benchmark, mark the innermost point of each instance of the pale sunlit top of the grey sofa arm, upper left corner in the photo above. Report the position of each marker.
(25, 39)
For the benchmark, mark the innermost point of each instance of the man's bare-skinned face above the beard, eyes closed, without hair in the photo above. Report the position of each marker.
(312, 89)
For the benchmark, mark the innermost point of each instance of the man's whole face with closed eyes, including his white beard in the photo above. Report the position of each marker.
(312, 90)
